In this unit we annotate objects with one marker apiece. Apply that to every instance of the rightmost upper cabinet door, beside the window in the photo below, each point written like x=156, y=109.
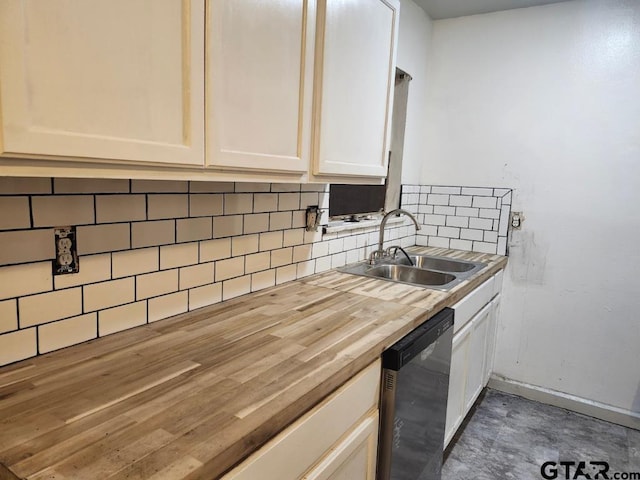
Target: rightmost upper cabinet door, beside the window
x=355, y=71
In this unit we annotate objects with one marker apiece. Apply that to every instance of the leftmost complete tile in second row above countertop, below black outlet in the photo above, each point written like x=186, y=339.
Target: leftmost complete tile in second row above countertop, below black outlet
x=47, y=307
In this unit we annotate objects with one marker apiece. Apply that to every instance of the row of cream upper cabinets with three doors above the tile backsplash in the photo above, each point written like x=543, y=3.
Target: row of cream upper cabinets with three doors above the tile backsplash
x=283, y=90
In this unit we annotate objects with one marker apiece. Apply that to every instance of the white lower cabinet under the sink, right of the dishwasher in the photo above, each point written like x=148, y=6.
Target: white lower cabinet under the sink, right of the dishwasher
x=472, y=351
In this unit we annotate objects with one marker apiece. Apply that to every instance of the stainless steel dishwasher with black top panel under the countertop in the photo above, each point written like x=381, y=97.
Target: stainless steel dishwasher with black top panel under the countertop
x=415, y=386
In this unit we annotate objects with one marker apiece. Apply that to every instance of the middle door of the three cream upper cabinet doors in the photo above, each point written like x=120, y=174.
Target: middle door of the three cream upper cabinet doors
x=259, y=84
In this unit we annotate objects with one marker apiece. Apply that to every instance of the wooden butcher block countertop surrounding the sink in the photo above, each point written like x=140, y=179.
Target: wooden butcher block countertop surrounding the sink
x=190, y=397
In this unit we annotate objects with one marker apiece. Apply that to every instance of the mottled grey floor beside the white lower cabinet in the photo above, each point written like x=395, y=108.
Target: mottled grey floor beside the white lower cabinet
x=509, y=437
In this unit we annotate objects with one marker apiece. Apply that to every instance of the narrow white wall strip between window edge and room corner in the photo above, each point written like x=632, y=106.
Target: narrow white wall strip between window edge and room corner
x=413, y=41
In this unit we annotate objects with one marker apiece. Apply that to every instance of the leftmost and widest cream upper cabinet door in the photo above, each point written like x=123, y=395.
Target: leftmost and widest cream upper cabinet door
x=96, y=79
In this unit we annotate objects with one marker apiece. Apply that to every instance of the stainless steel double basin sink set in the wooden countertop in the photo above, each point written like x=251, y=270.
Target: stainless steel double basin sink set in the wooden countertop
x=441, y=273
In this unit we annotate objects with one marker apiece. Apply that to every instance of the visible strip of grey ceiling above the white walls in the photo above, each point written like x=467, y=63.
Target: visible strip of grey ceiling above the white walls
x=440, y=9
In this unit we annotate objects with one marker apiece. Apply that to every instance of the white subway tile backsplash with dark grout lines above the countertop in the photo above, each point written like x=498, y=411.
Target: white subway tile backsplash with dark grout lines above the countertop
x=231, y=238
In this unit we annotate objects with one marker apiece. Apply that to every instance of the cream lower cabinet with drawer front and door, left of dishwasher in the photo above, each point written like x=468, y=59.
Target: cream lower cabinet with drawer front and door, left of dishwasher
x=337, y=439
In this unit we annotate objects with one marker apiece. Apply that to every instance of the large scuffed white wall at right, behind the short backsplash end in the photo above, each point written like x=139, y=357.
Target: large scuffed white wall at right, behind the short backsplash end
x=546, y=100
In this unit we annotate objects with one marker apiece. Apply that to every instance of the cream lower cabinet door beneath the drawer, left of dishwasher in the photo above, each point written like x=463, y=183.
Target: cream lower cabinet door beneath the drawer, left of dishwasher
x=352, y=459
